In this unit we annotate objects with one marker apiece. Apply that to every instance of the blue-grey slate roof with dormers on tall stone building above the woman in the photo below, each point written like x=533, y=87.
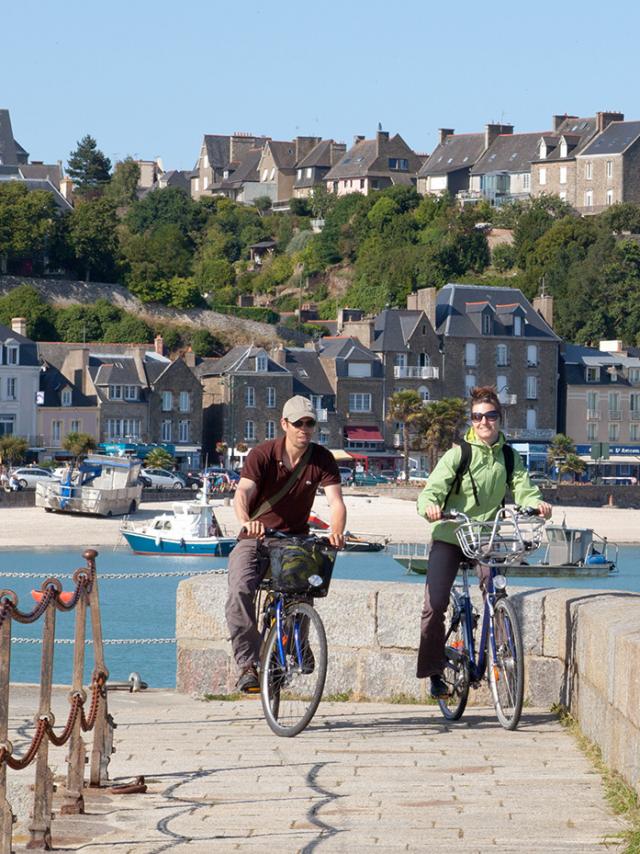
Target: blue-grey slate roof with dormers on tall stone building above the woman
x=456, y=302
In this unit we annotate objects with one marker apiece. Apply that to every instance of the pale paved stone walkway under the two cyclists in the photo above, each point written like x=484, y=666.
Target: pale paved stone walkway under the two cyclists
x=362, y=776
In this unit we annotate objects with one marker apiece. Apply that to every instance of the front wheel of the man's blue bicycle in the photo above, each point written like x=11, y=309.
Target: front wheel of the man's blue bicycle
x=293, y=669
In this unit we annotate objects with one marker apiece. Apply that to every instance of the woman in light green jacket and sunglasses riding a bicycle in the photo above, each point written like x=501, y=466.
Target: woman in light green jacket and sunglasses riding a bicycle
x=479, y=492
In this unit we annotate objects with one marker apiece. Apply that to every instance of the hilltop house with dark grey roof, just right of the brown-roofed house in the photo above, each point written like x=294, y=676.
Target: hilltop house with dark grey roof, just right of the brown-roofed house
x=448, y=169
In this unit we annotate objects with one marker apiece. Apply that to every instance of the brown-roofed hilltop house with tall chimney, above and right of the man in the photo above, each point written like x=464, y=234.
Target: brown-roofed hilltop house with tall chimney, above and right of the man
x=373, y=164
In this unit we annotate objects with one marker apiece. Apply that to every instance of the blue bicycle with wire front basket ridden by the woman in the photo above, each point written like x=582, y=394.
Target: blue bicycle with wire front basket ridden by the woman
x=511, y=534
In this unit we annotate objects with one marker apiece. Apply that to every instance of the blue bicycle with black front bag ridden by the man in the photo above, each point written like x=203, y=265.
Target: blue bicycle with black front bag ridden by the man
x=293, y=660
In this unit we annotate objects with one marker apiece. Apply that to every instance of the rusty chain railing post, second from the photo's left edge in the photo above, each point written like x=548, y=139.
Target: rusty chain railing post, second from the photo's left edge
x=40, y=827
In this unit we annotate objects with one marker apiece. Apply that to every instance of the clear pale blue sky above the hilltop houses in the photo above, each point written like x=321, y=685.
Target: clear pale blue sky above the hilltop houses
x=150, y=78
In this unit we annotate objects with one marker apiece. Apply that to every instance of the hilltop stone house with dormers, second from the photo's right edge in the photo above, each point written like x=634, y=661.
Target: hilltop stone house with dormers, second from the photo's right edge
x=553, y=170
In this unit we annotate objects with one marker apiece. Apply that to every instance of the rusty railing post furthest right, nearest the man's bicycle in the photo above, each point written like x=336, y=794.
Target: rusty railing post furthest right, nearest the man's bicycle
x=103, y=733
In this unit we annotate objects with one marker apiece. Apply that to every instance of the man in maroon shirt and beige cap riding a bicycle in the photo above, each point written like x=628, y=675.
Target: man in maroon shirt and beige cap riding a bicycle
x=276, y=491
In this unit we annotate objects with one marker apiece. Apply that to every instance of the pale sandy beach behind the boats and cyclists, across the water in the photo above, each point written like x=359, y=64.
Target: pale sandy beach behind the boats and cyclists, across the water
x=34, y=528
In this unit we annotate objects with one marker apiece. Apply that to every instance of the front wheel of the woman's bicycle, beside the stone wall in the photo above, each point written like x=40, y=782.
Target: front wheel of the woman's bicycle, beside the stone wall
x=506, y=665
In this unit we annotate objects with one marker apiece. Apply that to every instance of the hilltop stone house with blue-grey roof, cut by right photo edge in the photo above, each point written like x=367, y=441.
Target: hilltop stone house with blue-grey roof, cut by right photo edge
x=608, y=168
